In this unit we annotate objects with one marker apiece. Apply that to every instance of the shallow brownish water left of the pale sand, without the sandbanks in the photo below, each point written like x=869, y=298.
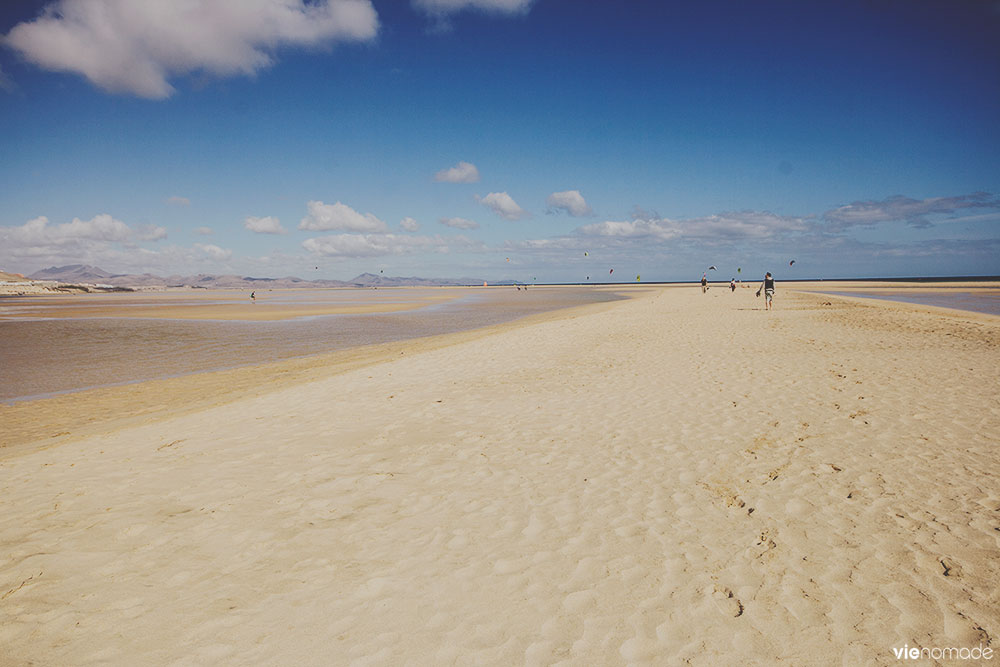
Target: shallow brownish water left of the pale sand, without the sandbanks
x=51, y=355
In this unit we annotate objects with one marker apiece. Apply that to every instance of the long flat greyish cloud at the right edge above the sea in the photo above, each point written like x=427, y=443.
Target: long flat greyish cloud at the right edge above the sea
x=913, y=212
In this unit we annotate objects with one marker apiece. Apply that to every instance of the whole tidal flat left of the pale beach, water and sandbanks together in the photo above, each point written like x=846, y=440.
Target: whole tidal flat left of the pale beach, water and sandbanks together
x=60, y=344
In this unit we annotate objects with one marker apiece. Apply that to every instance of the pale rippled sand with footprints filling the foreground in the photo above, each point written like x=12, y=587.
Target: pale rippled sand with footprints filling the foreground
x=677, y=478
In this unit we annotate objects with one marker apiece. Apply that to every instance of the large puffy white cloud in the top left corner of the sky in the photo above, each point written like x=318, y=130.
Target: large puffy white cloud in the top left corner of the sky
x=132, y=46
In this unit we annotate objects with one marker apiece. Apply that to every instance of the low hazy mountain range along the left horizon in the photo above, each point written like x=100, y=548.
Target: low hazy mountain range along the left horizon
x=80, y=273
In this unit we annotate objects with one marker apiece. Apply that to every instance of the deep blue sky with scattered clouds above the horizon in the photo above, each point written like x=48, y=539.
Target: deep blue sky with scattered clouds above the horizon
x=501, y=139
